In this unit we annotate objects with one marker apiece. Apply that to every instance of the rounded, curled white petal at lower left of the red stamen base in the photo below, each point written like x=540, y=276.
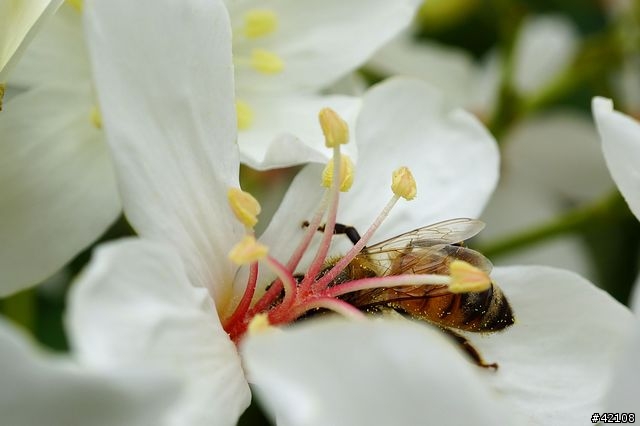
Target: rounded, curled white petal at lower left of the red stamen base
x=134, y=307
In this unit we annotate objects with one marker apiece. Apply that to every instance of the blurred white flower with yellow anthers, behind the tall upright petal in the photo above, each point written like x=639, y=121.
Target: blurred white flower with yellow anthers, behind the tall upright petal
x=44, y=223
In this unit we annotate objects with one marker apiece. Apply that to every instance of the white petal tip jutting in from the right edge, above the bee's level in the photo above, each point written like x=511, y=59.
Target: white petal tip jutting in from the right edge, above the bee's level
x=620, y=136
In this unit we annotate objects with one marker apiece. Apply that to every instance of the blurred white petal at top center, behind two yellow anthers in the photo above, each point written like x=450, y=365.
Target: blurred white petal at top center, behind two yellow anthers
x=316, y=39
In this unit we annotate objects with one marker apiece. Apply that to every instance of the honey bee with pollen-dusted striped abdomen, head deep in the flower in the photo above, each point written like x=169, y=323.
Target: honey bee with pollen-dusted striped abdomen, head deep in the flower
x=428, y=250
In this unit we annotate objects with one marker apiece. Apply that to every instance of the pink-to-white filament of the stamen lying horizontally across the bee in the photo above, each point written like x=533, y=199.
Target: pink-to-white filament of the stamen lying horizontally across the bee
x=388, y=281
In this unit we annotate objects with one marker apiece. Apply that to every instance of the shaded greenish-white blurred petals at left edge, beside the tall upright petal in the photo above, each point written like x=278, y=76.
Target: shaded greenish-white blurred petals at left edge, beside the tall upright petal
x=57, y=186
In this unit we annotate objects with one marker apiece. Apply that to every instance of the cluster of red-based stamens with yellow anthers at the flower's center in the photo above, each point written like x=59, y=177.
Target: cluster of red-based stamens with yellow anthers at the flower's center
x=291, y=295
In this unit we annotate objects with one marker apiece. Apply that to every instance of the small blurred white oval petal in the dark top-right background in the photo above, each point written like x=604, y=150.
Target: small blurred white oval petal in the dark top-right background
x=545, y=47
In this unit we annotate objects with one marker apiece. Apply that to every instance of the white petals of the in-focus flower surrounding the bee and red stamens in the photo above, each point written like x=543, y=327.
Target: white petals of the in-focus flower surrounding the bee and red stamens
x=164, y=302
